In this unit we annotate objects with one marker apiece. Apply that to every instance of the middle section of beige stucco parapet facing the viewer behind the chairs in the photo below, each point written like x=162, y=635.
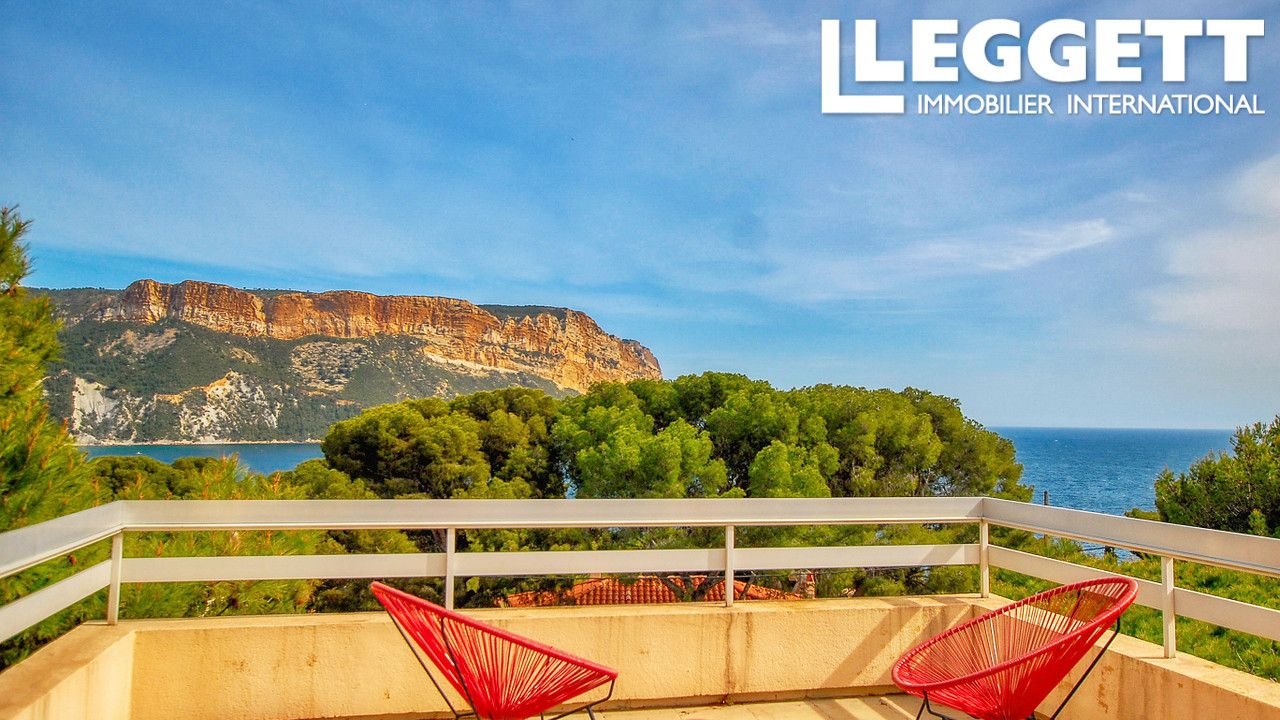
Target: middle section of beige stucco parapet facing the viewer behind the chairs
x=344, y=666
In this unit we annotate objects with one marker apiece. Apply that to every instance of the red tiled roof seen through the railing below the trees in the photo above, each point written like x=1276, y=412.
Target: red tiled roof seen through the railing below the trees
x=644, y=591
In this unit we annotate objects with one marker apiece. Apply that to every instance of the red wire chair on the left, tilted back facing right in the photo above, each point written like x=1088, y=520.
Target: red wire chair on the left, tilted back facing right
x=501, y=675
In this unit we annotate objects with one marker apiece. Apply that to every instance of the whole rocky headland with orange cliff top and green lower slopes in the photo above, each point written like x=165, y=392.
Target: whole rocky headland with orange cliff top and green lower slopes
x=204, y=362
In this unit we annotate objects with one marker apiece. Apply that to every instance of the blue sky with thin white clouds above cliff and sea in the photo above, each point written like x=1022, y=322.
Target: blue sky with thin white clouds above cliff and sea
x=666, y=168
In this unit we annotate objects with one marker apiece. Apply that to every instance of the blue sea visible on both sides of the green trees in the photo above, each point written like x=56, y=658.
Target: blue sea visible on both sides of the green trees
x=1107, y=471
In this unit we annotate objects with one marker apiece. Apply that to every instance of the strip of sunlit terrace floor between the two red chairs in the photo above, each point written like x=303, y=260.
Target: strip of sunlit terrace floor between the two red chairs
x=865, y=708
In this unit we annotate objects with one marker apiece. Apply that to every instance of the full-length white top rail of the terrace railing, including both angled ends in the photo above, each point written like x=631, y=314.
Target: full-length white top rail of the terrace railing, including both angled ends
x=30, y=546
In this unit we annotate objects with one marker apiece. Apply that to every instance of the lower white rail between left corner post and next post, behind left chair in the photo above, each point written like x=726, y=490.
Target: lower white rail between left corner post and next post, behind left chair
x=282, y=568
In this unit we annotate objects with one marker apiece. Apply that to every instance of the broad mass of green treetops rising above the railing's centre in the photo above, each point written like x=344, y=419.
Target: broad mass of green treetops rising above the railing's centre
x=714, y=435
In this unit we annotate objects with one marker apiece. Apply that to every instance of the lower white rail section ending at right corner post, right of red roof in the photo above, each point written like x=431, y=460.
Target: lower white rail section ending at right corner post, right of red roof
x=854, y=557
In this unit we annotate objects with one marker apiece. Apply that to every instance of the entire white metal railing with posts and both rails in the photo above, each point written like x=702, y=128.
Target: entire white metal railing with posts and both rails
x=31, y=546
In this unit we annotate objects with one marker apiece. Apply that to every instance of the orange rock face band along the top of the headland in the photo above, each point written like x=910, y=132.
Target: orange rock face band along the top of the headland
x=572, y=352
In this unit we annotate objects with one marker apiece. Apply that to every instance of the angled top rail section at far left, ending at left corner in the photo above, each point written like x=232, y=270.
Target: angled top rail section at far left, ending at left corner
x=28, y=548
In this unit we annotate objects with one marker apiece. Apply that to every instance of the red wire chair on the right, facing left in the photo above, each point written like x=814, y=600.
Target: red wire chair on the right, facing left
x=1004, y=664
